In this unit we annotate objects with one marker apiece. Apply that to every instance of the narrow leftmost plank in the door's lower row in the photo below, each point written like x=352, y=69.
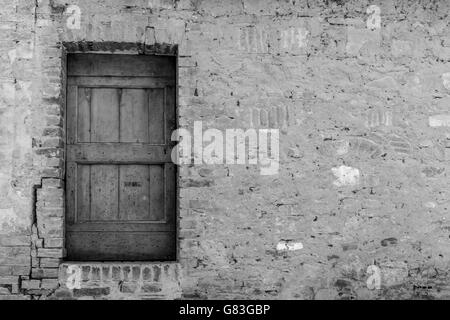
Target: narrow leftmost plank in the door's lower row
x=83, y=193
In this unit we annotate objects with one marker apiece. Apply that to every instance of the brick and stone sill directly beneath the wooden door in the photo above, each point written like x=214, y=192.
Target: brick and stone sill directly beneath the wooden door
x=121, y=280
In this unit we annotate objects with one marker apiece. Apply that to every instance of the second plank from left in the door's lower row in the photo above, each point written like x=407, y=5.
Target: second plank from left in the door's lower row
x=104, y=192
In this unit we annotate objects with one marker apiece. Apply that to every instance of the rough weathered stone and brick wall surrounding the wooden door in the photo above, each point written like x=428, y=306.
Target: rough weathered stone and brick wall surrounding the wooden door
x=360, y=91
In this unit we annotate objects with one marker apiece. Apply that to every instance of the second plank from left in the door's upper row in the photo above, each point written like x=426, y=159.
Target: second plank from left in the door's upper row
x=105, y=115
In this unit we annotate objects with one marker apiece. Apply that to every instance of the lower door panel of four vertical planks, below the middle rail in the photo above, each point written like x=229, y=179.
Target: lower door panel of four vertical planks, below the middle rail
x=120, y=193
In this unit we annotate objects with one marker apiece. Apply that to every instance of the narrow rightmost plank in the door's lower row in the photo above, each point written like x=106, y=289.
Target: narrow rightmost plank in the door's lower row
x=157, y=186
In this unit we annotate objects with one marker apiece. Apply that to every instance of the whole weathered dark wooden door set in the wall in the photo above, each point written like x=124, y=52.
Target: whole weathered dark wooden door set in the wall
x=120, y=183
